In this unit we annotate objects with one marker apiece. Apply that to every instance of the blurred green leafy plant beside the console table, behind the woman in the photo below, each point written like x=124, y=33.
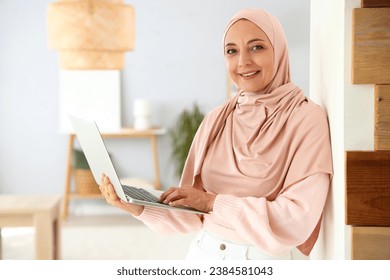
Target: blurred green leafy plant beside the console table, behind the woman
x=182, y=135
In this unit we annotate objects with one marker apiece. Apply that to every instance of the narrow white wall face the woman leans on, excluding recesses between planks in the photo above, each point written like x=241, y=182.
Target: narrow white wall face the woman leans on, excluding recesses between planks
x=326, y=88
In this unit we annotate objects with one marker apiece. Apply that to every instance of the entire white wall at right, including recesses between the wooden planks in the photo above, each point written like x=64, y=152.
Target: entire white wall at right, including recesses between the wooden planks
x=350, y=109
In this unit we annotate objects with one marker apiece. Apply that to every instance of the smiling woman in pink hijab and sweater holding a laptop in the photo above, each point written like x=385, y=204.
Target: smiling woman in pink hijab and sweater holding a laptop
x=260, y=165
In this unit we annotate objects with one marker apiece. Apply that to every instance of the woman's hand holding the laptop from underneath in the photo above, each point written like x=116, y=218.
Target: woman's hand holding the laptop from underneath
x=108, y=191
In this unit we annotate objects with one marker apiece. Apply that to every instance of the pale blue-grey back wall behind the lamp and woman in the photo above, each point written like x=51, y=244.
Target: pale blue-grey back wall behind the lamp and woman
x=178, y=60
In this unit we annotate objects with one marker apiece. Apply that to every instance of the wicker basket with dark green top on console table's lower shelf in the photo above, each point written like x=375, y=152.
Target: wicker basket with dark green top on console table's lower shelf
x=84, y=181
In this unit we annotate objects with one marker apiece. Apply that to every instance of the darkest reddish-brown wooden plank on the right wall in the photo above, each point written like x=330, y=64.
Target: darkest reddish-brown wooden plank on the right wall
x=368, y=188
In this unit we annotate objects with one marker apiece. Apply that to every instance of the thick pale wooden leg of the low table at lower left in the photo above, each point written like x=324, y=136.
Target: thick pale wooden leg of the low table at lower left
x=44, y=236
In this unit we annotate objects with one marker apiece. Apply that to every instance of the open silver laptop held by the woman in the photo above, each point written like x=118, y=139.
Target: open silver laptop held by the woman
x=100, y=163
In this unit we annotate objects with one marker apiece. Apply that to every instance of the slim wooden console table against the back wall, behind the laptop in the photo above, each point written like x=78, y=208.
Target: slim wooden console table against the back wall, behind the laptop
x=128, y=133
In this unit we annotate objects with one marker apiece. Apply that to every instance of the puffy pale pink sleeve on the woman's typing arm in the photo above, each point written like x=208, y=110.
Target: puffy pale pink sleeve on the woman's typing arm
x=277, y=226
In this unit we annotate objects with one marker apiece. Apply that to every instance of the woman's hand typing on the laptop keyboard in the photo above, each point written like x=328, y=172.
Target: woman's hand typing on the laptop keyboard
x=188, y=196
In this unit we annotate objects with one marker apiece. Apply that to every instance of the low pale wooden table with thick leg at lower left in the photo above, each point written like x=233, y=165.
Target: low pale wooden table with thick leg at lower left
x=42, y=212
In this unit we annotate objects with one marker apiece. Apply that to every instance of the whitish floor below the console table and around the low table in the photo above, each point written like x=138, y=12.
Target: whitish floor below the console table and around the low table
x=111, y=237
